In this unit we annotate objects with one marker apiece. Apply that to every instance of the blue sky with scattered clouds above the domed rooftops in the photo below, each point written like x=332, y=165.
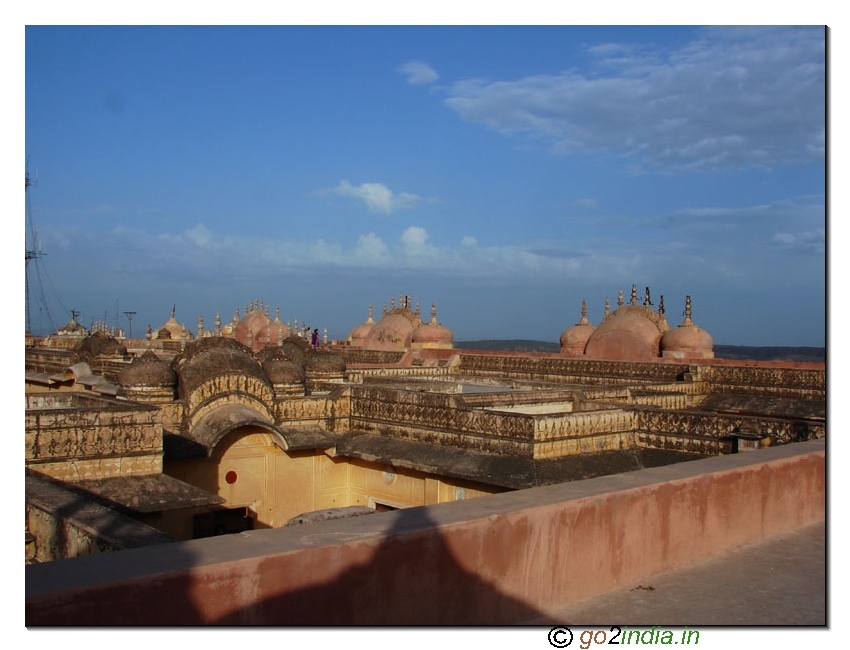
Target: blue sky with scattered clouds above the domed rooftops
x=504, y=173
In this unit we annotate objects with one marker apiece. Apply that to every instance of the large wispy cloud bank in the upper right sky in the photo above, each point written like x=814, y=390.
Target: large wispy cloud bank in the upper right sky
x=732, y=98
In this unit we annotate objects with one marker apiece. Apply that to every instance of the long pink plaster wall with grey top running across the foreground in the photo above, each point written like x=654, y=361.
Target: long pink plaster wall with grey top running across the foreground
x=497, y=559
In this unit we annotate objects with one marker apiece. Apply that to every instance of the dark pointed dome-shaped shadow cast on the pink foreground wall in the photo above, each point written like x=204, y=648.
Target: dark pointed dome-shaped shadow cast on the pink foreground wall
x=412, y=578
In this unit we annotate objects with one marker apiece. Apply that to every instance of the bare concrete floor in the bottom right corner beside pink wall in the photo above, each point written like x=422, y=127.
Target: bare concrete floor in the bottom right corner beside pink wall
x=779, y=581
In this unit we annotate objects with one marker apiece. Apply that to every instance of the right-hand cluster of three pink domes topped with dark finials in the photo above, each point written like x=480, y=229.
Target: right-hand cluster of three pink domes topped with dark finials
x=636, y=332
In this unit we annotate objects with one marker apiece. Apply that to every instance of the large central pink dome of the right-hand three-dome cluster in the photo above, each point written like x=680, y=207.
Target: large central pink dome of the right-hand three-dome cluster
x=631, y=333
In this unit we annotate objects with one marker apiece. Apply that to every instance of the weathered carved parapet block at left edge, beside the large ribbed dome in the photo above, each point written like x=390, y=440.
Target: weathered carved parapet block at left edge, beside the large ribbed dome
x=74, y=436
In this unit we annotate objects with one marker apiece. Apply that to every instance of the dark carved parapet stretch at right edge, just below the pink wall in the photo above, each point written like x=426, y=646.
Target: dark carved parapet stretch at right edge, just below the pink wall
x=759, y=380
